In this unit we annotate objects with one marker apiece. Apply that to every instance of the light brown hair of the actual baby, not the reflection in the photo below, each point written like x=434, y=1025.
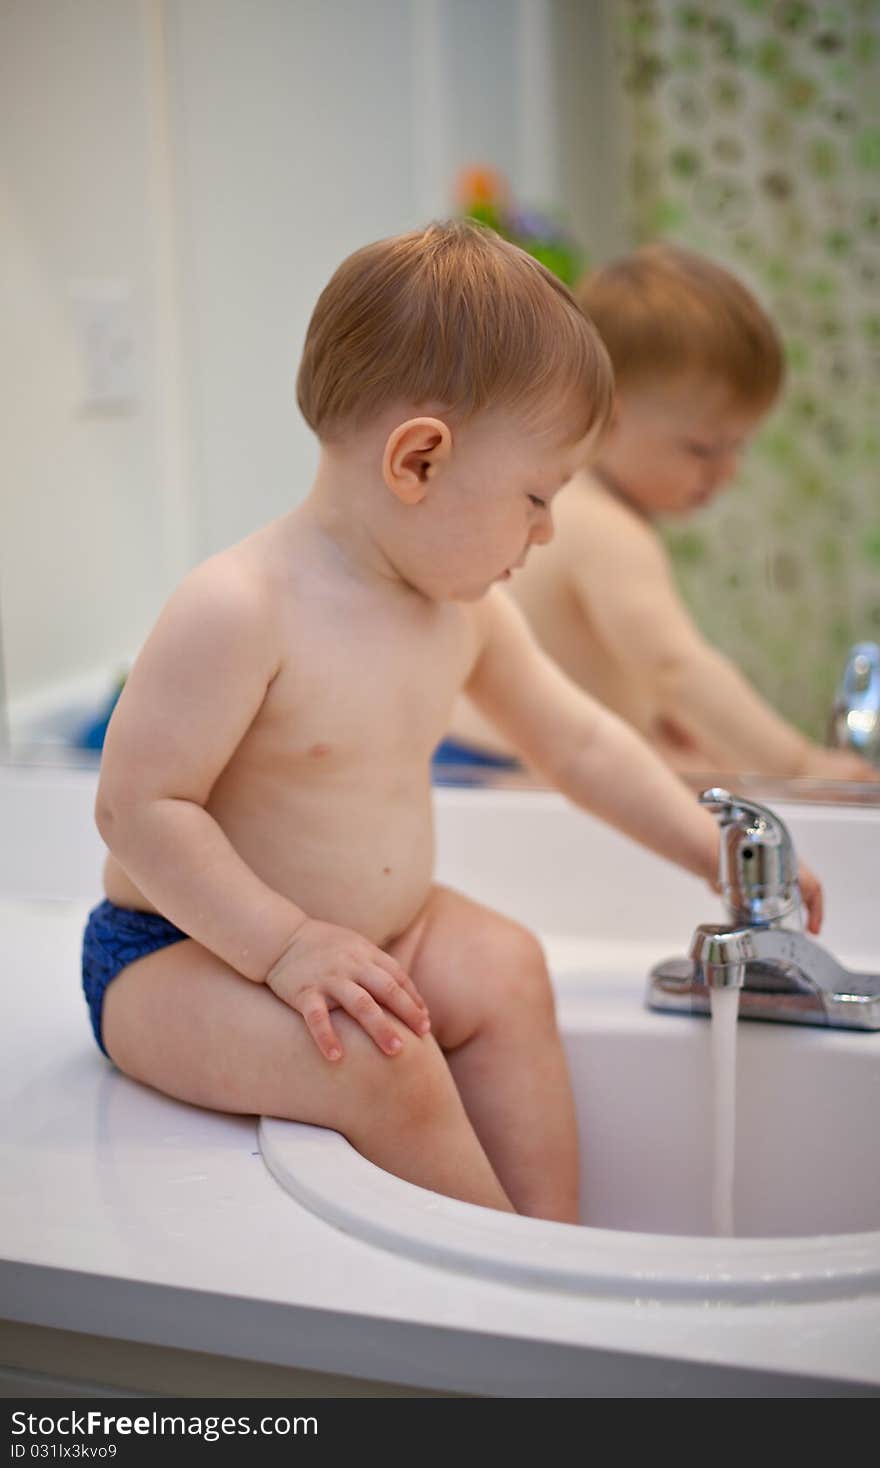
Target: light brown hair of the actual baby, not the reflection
x=458, y=316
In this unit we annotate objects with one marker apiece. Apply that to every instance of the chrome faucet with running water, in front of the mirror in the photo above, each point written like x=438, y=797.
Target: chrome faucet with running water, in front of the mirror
x=763, y=951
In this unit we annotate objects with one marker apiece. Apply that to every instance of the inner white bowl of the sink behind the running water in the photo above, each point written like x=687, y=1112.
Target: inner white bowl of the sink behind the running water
x=807, y=1106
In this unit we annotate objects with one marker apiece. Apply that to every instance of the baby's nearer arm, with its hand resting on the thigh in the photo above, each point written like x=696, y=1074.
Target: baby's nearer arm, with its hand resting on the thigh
x=189, y=702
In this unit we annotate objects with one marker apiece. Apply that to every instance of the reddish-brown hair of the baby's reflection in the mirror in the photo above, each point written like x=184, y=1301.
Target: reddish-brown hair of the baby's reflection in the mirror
x=668, y=313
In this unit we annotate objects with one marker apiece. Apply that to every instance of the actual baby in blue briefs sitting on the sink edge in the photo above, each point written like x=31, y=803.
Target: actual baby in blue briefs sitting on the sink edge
x=273, y=942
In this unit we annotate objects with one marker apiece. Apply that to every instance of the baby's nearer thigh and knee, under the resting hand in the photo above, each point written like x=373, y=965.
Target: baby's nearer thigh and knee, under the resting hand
x=186, y=1024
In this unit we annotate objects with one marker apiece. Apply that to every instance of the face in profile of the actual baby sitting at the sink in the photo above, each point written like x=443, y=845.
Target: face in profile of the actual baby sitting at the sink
x=493, y=504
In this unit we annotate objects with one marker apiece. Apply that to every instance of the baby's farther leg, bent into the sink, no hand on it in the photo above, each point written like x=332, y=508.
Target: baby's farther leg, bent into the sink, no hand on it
x=486, y=983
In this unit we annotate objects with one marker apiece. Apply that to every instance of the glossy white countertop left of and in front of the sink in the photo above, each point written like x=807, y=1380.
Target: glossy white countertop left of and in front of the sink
x=131, y=1216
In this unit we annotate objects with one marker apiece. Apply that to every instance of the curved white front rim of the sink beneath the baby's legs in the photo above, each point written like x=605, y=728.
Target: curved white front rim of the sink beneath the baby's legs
x=328, y=1177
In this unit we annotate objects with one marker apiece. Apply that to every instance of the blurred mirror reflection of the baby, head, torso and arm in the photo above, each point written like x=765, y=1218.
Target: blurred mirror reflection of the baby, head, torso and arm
x=699, y=365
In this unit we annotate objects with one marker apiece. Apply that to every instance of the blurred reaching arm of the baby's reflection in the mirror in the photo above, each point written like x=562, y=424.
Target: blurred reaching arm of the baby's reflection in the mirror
x=709, y=714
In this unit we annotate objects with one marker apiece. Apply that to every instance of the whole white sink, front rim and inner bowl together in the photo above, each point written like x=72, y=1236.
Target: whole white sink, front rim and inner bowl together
x=807, y=1199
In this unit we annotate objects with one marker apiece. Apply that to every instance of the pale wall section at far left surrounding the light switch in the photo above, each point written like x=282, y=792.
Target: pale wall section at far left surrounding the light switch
x=82, y=545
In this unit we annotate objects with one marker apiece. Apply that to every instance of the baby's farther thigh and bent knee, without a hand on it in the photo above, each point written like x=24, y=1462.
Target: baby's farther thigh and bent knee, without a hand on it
x=474, y=967
